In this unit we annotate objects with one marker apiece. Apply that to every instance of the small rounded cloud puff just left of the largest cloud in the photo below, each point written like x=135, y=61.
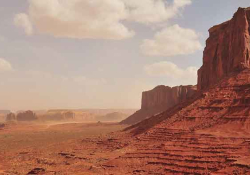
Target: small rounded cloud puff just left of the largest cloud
x=22, y=20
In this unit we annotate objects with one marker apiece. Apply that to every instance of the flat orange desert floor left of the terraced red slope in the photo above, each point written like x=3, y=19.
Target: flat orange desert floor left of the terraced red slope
x=71, y=148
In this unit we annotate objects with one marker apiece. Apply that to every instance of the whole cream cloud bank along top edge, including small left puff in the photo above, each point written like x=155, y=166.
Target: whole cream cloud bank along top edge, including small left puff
x=95, y=19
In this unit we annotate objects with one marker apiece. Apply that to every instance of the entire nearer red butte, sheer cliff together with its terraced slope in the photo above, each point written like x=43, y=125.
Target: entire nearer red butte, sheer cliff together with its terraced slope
x=208, y=134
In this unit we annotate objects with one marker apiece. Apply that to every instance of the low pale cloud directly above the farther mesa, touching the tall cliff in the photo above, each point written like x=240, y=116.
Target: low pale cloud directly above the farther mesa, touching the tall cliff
x=171, y=70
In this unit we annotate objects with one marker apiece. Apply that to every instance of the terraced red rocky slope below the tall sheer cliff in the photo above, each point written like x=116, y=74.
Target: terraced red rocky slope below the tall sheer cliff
x=209, y=134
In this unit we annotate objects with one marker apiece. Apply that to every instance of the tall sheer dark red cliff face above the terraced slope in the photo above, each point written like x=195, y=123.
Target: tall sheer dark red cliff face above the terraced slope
x=227, y=49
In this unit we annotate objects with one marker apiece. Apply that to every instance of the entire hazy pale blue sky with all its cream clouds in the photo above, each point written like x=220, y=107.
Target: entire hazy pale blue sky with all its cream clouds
x=101, y=53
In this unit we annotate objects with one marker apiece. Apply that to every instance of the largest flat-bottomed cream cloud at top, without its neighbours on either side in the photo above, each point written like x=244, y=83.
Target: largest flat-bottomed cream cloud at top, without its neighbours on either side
x=80, y=18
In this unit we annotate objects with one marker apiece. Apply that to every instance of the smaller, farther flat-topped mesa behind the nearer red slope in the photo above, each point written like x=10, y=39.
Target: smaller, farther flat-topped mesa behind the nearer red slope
x=160, y=99
